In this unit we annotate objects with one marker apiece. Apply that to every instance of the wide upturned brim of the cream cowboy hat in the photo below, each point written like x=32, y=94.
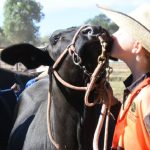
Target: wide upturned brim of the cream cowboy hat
x=129, y=24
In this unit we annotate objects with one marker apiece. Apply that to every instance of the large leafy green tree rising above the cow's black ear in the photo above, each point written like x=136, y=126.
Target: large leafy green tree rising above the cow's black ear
x=20, y=18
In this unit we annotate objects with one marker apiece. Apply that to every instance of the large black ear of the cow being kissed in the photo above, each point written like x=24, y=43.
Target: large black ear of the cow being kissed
x=27, y=54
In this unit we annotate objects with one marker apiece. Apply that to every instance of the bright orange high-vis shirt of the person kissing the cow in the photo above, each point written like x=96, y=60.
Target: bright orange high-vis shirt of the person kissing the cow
x=130, y=132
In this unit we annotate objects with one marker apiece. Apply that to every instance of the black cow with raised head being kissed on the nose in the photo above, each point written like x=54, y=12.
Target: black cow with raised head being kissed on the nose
x=72, y=123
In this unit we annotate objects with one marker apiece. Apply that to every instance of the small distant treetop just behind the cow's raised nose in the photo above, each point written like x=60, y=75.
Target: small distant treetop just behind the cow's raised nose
x=103, y=21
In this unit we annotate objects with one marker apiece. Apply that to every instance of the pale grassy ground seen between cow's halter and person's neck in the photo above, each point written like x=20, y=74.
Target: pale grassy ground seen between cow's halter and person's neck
x=120, y=73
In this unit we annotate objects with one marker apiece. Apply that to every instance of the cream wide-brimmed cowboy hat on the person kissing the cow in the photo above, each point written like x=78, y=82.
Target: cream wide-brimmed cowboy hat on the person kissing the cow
x=137, y=23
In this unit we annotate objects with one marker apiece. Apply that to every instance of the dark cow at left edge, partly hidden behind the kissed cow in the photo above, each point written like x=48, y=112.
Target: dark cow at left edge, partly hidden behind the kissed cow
x=8, y=100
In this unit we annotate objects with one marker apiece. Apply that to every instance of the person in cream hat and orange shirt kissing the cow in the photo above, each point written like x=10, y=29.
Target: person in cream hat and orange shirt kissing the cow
x=132, y=45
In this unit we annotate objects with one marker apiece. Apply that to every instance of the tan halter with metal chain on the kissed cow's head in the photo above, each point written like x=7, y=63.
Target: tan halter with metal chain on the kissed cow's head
x=71, y=50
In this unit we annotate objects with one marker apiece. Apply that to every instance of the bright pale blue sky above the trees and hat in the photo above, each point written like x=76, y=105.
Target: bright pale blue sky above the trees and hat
x=61, y=14
